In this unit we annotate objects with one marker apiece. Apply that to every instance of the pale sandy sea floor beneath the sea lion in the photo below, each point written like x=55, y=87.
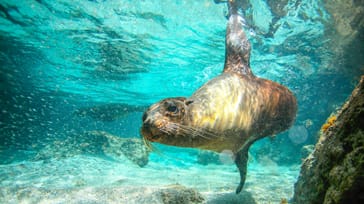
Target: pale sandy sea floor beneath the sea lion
x=90, y=179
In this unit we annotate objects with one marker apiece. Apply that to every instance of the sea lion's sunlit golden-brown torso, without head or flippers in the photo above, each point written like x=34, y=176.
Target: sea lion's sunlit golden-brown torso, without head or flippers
x=240, y=110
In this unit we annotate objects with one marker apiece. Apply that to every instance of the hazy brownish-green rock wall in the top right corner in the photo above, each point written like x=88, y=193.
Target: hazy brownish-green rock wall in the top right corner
x=346, y=34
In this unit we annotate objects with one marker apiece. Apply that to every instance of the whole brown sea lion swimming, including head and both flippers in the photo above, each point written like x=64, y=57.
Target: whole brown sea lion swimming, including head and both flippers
x=229, y=112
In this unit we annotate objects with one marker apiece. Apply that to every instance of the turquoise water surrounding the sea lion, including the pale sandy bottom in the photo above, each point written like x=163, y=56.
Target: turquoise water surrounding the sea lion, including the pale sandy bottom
x=70, y=67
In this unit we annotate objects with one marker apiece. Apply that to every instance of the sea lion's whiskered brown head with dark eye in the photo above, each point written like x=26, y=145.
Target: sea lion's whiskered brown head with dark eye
x=162, y=121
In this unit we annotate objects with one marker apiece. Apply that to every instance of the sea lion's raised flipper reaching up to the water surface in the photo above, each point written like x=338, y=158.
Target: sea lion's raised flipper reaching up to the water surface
x=237, y=51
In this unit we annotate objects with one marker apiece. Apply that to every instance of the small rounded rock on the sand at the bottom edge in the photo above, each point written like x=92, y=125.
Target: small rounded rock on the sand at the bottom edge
x=177, y=194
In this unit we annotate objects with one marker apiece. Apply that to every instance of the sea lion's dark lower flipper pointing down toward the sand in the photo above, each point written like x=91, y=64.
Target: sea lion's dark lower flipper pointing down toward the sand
x=241, y=161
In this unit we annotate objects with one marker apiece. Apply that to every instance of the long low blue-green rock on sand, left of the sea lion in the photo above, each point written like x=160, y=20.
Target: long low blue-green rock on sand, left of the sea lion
x=97, y=143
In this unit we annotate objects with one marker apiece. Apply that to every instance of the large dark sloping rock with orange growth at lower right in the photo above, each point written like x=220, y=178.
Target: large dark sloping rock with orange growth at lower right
x=334, y=172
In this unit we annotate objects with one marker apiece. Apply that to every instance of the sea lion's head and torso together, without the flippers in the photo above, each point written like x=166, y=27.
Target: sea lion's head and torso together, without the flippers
x=227, y=113
